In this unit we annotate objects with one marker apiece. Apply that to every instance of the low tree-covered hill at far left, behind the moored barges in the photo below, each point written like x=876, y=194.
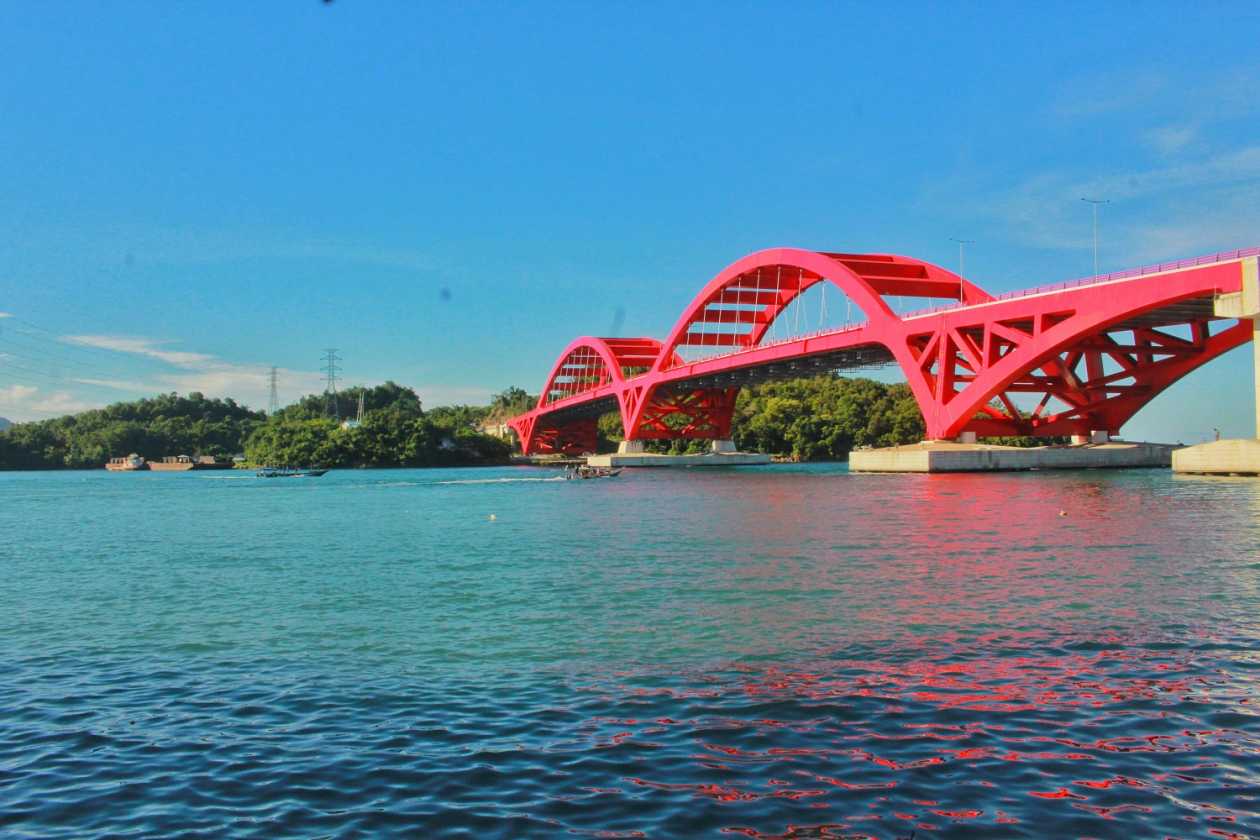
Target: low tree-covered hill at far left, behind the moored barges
x=166, y=425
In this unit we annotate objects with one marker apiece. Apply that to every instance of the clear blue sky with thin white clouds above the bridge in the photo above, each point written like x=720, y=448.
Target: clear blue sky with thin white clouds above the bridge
x=449, y=193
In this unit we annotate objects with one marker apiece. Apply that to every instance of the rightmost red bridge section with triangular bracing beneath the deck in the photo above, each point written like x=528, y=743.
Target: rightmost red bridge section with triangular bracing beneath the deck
x=1060, y=344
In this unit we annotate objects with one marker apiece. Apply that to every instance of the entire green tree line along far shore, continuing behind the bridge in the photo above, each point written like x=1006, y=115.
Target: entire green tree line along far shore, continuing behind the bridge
x=810, y=419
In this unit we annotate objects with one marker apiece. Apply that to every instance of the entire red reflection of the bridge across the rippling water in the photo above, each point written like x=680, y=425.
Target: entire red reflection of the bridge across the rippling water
x=967, y=656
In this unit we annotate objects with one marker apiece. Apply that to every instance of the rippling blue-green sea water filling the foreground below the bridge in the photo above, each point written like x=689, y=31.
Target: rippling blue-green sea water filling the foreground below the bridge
x=786, y=652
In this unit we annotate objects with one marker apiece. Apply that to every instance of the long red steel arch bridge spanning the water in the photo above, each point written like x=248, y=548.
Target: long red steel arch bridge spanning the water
x=1078, y=358
